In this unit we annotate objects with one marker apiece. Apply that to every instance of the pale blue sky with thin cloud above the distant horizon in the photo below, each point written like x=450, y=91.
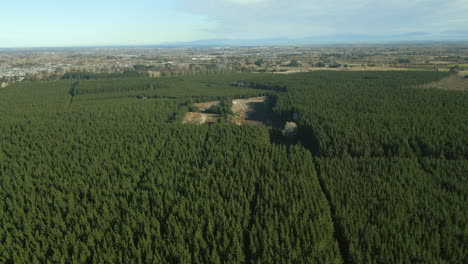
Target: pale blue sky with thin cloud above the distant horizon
x=53, y=23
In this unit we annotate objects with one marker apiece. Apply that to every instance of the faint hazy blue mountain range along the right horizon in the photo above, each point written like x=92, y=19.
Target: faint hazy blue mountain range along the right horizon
x=333, y=39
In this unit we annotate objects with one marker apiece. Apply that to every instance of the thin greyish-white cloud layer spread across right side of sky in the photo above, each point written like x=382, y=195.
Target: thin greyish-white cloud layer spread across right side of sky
x=302, y=18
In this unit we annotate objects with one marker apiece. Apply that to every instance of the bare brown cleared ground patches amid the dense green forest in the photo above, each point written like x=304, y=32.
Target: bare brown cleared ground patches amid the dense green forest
x=246, y=111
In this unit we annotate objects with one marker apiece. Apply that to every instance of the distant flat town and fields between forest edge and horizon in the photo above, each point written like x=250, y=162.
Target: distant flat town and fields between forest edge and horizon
x=52, y=63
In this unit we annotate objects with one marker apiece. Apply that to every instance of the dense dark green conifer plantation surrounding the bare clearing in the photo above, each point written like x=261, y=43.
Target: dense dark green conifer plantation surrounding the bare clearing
x=101, y=170
